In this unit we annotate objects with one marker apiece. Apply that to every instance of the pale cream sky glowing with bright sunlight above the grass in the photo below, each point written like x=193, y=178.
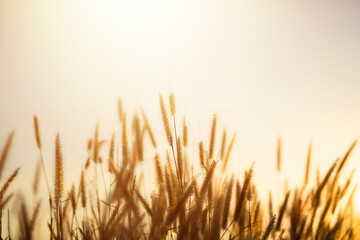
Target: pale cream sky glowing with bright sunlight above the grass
x=288, y=68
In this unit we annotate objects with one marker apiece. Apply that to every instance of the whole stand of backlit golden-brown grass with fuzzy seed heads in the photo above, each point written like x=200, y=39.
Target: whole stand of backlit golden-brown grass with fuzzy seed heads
x=185, y=202
